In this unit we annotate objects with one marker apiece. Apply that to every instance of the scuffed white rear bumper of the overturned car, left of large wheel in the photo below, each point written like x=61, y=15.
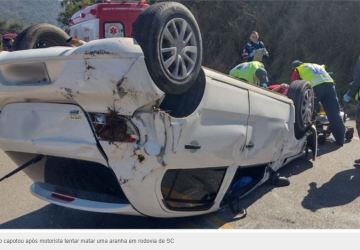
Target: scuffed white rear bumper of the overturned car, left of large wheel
x=75, y=75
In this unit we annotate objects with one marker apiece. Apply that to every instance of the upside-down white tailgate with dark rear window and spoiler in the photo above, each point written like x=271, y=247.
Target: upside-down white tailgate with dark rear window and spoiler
x=74, y=172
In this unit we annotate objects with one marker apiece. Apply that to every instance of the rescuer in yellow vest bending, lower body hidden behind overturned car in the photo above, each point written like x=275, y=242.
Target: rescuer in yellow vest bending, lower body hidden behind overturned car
x=252, y=72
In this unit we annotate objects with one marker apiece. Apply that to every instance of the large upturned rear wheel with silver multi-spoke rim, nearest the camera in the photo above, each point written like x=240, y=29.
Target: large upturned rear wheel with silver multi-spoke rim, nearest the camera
x=171, y=41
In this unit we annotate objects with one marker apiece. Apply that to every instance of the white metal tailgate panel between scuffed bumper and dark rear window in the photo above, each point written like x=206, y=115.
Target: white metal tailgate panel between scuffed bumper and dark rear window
x=39, y=128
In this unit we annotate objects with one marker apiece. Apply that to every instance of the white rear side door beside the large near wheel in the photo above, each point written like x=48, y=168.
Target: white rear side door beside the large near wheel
x=215, y=134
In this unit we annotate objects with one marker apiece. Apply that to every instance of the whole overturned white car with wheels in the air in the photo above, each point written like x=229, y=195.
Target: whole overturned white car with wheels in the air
x=115, y=127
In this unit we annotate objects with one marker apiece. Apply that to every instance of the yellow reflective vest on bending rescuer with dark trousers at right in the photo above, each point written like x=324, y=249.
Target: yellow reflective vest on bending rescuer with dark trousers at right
x=314, y=73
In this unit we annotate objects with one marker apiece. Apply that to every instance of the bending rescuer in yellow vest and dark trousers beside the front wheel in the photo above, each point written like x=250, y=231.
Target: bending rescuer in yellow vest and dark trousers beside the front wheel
x=325, y=93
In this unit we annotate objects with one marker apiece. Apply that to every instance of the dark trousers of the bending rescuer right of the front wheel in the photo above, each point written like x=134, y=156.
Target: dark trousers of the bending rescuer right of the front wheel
x=325, y=94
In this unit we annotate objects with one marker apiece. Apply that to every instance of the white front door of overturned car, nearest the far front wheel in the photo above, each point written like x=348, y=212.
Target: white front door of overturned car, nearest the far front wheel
x=268, y=128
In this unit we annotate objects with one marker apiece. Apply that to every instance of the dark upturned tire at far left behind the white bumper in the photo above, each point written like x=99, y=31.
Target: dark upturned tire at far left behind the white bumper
x=41, y=36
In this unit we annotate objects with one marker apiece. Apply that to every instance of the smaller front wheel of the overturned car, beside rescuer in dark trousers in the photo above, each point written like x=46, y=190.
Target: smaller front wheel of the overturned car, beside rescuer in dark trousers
x=302, y=95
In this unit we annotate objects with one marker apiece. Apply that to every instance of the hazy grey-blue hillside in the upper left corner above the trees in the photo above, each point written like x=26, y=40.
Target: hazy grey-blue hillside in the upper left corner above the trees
x=29, y=11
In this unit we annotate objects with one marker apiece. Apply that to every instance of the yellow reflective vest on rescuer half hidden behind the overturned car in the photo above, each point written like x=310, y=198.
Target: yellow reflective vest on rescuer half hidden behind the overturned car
x=246, y=71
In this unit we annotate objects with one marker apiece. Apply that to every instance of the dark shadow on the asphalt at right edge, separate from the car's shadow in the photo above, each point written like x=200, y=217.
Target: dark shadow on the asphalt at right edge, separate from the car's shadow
x=341, y=189
